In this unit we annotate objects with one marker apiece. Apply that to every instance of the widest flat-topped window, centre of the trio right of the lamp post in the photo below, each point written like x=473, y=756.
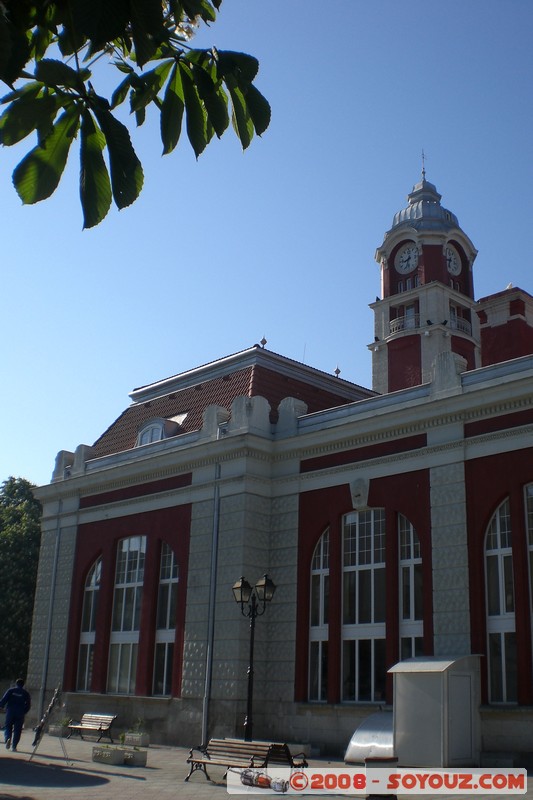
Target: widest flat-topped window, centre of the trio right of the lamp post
x=363, y=629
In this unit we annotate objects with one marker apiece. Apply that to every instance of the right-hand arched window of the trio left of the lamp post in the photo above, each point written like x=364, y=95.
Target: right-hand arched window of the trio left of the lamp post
x=166, y=622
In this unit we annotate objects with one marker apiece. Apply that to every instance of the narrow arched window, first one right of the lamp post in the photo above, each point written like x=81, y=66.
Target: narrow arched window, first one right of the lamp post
x=318, y=635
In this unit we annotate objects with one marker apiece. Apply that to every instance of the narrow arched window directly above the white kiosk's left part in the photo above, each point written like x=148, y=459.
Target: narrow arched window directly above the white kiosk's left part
x=411, y=625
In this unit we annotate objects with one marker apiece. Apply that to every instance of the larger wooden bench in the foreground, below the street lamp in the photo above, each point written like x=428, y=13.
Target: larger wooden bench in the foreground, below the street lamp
x=237, y=754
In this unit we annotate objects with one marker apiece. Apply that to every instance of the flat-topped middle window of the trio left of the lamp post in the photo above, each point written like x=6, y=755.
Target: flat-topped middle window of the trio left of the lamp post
x=126, y=615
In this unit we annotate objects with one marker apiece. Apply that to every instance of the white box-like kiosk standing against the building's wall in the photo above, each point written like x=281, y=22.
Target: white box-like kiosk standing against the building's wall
x=436, y=711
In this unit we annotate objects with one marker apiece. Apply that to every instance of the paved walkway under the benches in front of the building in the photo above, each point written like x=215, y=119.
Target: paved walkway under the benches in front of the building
x=43, y=774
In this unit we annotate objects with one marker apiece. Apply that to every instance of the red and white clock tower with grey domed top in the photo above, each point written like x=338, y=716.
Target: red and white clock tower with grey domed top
x=427, y=291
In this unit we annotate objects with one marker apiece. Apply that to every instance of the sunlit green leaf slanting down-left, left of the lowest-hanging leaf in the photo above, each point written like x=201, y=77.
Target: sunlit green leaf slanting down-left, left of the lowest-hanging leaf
x=38, y=174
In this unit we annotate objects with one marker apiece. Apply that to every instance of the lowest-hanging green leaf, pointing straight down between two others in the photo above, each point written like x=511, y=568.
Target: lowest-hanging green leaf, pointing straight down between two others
x=95, y=186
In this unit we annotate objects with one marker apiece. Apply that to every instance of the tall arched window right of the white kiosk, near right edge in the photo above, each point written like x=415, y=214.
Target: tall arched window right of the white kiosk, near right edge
x=500, y=607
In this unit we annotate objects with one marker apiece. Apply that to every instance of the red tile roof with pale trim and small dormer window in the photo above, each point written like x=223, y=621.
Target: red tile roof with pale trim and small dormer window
x=264, y=374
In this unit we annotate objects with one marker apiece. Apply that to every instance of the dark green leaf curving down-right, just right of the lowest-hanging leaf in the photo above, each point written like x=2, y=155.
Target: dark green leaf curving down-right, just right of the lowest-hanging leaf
x=126, y=169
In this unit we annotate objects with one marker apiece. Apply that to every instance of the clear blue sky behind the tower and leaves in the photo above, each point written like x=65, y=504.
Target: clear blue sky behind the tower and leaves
x=278, y=241
